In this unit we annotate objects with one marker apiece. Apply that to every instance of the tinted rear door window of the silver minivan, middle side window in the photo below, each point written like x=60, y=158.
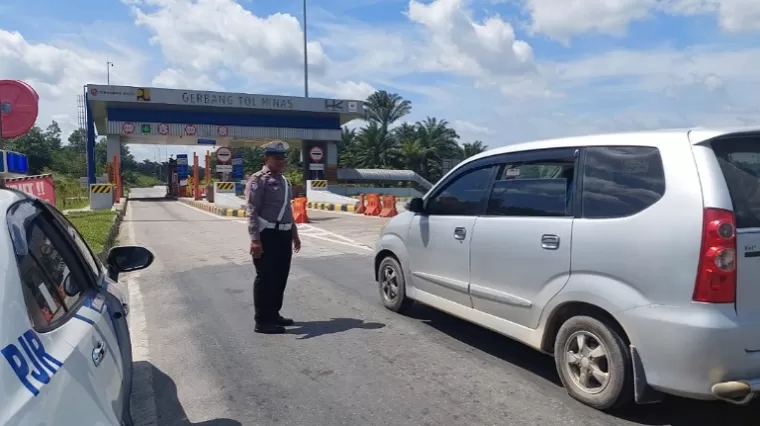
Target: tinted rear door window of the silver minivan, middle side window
x=539, y=188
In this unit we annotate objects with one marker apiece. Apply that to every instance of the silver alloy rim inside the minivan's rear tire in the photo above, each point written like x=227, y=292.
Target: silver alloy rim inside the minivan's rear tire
x=586, y=362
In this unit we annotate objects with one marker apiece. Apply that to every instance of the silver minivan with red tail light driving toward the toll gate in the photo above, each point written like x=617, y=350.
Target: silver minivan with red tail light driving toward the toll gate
x=633, y=258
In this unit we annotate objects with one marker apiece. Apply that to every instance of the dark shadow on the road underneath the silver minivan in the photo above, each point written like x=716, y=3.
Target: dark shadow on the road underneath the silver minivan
x=672, y=411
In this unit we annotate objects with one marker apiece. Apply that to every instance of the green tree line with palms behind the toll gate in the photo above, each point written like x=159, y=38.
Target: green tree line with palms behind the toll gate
x=420, y=146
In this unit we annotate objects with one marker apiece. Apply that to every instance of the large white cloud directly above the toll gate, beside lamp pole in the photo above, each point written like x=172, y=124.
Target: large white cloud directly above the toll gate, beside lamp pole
x=206, y=35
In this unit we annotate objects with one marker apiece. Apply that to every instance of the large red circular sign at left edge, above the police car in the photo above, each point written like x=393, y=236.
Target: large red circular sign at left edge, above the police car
x=19, y=106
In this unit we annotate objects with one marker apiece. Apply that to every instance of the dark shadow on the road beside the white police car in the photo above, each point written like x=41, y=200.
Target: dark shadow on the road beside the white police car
x=169, y=410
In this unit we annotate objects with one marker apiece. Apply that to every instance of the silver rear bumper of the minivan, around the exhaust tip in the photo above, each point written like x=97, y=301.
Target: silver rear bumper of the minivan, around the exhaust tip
x=694, y=350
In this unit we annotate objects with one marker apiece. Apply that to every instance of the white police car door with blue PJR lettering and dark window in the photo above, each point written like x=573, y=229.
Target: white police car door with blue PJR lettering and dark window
x=65, y=363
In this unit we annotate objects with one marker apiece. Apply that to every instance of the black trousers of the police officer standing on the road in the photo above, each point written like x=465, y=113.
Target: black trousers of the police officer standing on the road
x=272, y=270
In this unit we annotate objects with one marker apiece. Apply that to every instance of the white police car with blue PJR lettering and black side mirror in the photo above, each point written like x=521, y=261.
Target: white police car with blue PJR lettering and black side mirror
x=66, y=354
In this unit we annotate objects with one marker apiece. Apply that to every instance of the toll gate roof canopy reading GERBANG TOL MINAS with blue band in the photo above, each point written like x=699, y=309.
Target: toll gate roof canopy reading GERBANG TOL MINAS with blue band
x=149, y=115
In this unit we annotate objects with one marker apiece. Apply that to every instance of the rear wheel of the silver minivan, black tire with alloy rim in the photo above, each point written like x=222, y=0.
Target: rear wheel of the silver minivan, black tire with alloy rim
x=612, y=355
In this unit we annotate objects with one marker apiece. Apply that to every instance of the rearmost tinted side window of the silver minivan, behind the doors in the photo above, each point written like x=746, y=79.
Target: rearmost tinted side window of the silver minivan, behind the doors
x=620, y=181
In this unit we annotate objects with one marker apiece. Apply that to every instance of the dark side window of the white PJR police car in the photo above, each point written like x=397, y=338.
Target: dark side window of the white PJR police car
x=52, y=279
